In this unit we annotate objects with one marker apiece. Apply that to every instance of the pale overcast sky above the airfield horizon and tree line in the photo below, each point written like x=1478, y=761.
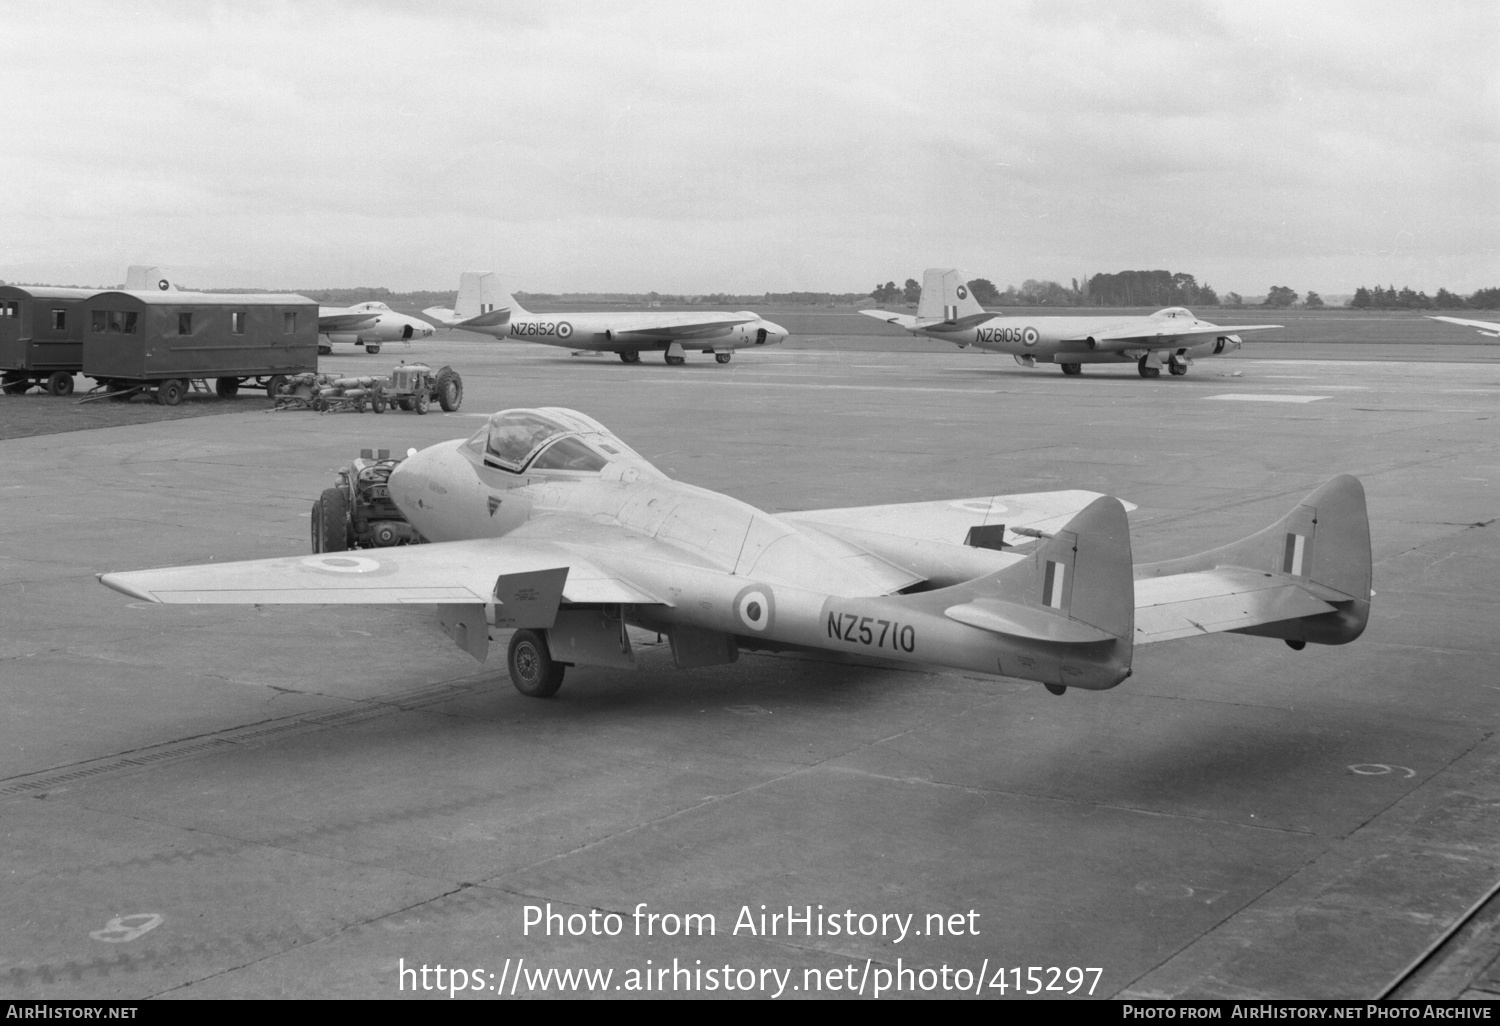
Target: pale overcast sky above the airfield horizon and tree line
x=748, y=148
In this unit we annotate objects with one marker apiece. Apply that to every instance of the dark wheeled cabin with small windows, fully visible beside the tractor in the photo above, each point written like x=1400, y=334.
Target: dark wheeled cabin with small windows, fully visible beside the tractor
x=164, y=341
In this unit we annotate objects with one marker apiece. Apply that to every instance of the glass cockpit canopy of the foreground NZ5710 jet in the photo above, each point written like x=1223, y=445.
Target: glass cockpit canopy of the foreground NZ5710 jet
x=548, y=439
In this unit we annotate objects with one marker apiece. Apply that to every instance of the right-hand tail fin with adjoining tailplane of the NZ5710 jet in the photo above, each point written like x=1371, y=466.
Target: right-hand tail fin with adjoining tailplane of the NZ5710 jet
x=1303, y=580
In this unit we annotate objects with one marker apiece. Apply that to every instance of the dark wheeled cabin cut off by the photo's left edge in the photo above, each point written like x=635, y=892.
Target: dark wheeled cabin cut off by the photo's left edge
x=41, y=337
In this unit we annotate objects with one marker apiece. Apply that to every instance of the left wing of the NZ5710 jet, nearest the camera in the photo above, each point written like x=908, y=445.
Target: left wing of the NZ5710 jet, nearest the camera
x=440, y=574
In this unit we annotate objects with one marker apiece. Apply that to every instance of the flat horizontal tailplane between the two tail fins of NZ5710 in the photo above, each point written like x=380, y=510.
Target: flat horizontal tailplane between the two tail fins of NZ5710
x=1223, y=599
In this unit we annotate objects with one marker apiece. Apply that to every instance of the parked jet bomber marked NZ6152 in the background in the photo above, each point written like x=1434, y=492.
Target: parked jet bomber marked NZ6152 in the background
x=487, y=308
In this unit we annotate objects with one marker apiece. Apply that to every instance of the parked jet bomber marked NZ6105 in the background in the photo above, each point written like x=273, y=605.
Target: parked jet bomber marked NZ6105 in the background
x=1172, y=337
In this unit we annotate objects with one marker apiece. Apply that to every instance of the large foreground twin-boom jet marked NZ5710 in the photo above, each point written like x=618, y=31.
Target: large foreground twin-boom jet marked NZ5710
x=548, y=524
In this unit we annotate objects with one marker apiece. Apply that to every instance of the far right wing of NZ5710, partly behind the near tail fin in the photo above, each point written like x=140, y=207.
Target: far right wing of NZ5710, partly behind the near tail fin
x=952, y=520
